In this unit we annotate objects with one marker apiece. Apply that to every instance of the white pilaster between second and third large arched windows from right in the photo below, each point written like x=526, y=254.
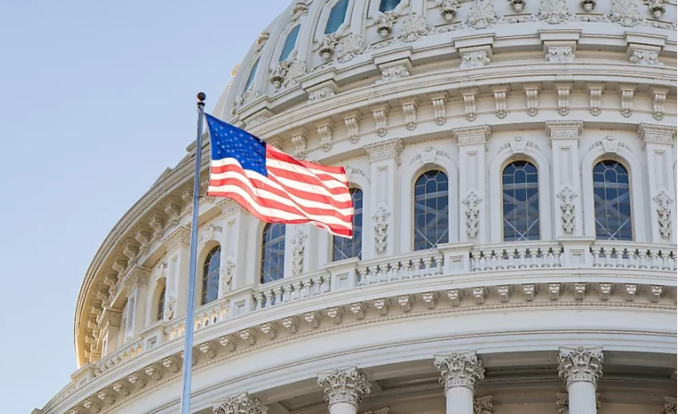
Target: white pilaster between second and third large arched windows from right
x=472, y=182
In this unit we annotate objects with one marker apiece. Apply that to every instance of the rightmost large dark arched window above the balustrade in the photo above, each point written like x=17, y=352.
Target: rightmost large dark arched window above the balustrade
x=612, y=201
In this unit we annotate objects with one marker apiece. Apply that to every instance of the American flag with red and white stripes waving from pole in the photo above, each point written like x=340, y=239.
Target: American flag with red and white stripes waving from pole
x=275, y=187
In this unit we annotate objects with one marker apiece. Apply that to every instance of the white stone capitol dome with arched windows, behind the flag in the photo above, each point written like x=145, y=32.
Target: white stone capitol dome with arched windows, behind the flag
x=512, y=165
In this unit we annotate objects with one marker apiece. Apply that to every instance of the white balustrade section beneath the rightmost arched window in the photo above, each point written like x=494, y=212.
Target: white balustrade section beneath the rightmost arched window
x=633, y=256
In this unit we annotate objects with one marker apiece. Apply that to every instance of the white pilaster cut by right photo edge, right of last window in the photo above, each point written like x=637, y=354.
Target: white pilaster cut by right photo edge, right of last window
x=659, y=153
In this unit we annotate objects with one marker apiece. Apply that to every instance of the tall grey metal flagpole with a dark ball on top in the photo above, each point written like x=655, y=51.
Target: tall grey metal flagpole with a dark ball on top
x=190, y=307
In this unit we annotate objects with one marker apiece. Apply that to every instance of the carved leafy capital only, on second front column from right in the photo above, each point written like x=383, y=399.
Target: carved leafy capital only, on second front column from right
x=462, y=369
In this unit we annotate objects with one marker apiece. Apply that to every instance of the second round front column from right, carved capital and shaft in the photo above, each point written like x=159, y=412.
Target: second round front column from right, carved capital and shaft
x=460, y=372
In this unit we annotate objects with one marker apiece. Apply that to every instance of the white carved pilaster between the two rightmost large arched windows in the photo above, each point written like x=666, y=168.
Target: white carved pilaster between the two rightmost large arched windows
x=567, y=204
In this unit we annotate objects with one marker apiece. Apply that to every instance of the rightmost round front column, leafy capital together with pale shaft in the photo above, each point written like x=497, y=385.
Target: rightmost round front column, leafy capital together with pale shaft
x=580, y=368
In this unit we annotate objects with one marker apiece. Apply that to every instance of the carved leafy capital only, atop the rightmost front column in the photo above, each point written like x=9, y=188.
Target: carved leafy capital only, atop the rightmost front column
x=580, y=364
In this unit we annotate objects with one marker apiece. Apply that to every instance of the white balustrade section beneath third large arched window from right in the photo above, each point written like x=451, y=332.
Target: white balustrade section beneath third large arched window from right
x=419, y=264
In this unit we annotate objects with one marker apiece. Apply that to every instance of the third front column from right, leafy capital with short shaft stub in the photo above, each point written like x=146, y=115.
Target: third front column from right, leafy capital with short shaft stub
x=344, y=390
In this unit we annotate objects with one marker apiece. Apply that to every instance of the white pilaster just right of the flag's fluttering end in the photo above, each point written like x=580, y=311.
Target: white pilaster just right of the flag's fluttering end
x=384, y=159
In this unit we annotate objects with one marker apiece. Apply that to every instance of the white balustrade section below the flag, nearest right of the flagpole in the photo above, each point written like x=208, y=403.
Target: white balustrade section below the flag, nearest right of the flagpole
x=291, y=289
